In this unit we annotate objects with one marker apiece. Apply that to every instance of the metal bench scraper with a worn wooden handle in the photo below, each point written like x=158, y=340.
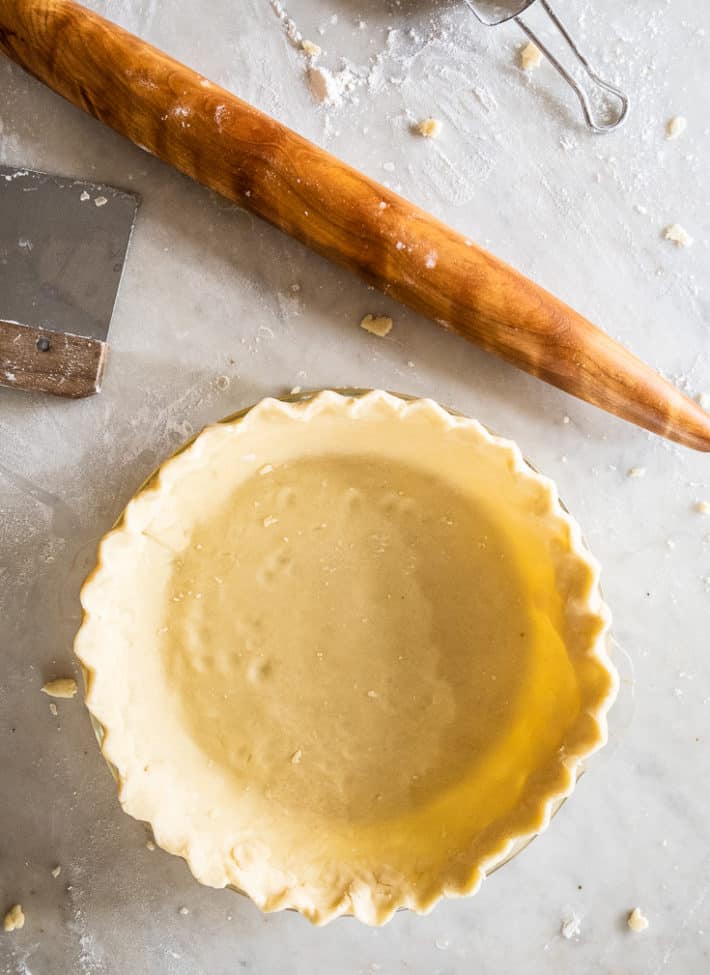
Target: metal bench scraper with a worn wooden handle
x=63, y=245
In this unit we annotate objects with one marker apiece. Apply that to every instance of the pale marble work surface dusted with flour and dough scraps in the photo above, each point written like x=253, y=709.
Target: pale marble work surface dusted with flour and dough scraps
x=207, y=294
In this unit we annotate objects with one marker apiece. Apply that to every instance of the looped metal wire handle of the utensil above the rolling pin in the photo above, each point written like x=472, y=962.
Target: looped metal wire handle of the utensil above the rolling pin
x=581, y=73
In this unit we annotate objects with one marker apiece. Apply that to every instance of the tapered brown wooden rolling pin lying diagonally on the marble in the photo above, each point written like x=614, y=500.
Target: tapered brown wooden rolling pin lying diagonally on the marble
x=214, y=137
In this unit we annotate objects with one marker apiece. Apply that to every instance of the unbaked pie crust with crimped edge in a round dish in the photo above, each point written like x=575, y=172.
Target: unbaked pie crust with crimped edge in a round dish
x=346, y=654
